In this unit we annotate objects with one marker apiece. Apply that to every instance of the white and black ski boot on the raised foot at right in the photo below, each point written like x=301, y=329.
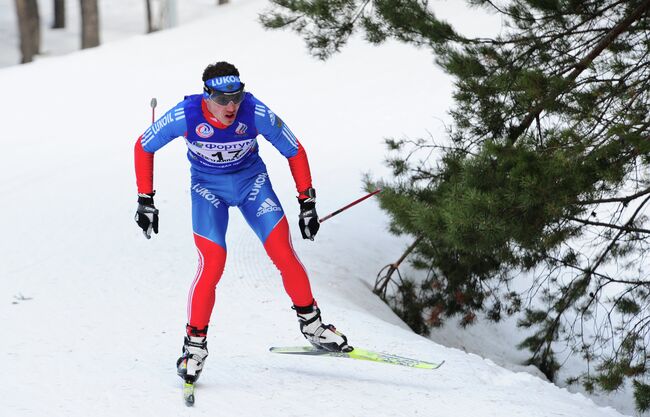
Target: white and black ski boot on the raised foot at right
x=321, y=336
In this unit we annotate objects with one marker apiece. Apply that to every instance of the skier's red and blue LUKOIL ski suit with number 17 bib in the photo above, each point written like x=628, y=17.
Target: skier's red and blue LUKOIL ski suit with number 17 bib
x=226, y=170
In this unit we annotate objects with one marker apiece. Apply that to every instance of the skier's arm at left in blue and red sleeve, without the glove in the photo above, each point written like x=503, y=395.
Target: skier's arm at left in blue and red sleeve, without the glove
x=170, y=126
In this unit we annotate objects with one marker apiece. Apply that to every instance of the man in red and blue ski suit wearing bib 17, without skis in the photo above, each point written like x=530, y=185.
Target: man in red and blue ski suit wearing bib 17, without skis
x=220, y=129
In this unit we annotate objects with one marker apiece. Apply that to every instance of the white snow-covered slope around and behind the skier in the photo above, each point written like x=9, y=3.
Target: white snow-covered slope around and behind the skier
x=92, y=314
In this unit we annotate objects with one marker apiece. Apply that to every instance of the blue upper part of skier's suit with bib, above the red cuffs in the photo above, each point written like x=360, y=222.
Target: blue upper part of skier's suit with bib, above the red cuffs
x=213, y=150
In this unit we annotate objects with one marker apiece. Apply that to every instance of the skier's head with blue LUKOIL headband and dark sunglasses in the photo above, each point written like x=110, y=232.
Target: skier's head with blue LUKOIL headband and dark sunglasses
x=223, y=91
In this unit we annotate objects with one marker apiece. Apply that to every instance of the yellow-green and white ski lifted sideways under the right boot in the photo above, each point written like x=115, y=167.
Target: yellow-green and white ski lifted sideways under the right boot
x=360, y=354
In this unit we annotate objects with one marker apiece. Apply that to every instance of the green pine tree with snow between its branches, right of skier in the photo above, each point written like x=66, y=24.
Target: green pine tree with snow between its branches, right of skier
x=544, y=172
